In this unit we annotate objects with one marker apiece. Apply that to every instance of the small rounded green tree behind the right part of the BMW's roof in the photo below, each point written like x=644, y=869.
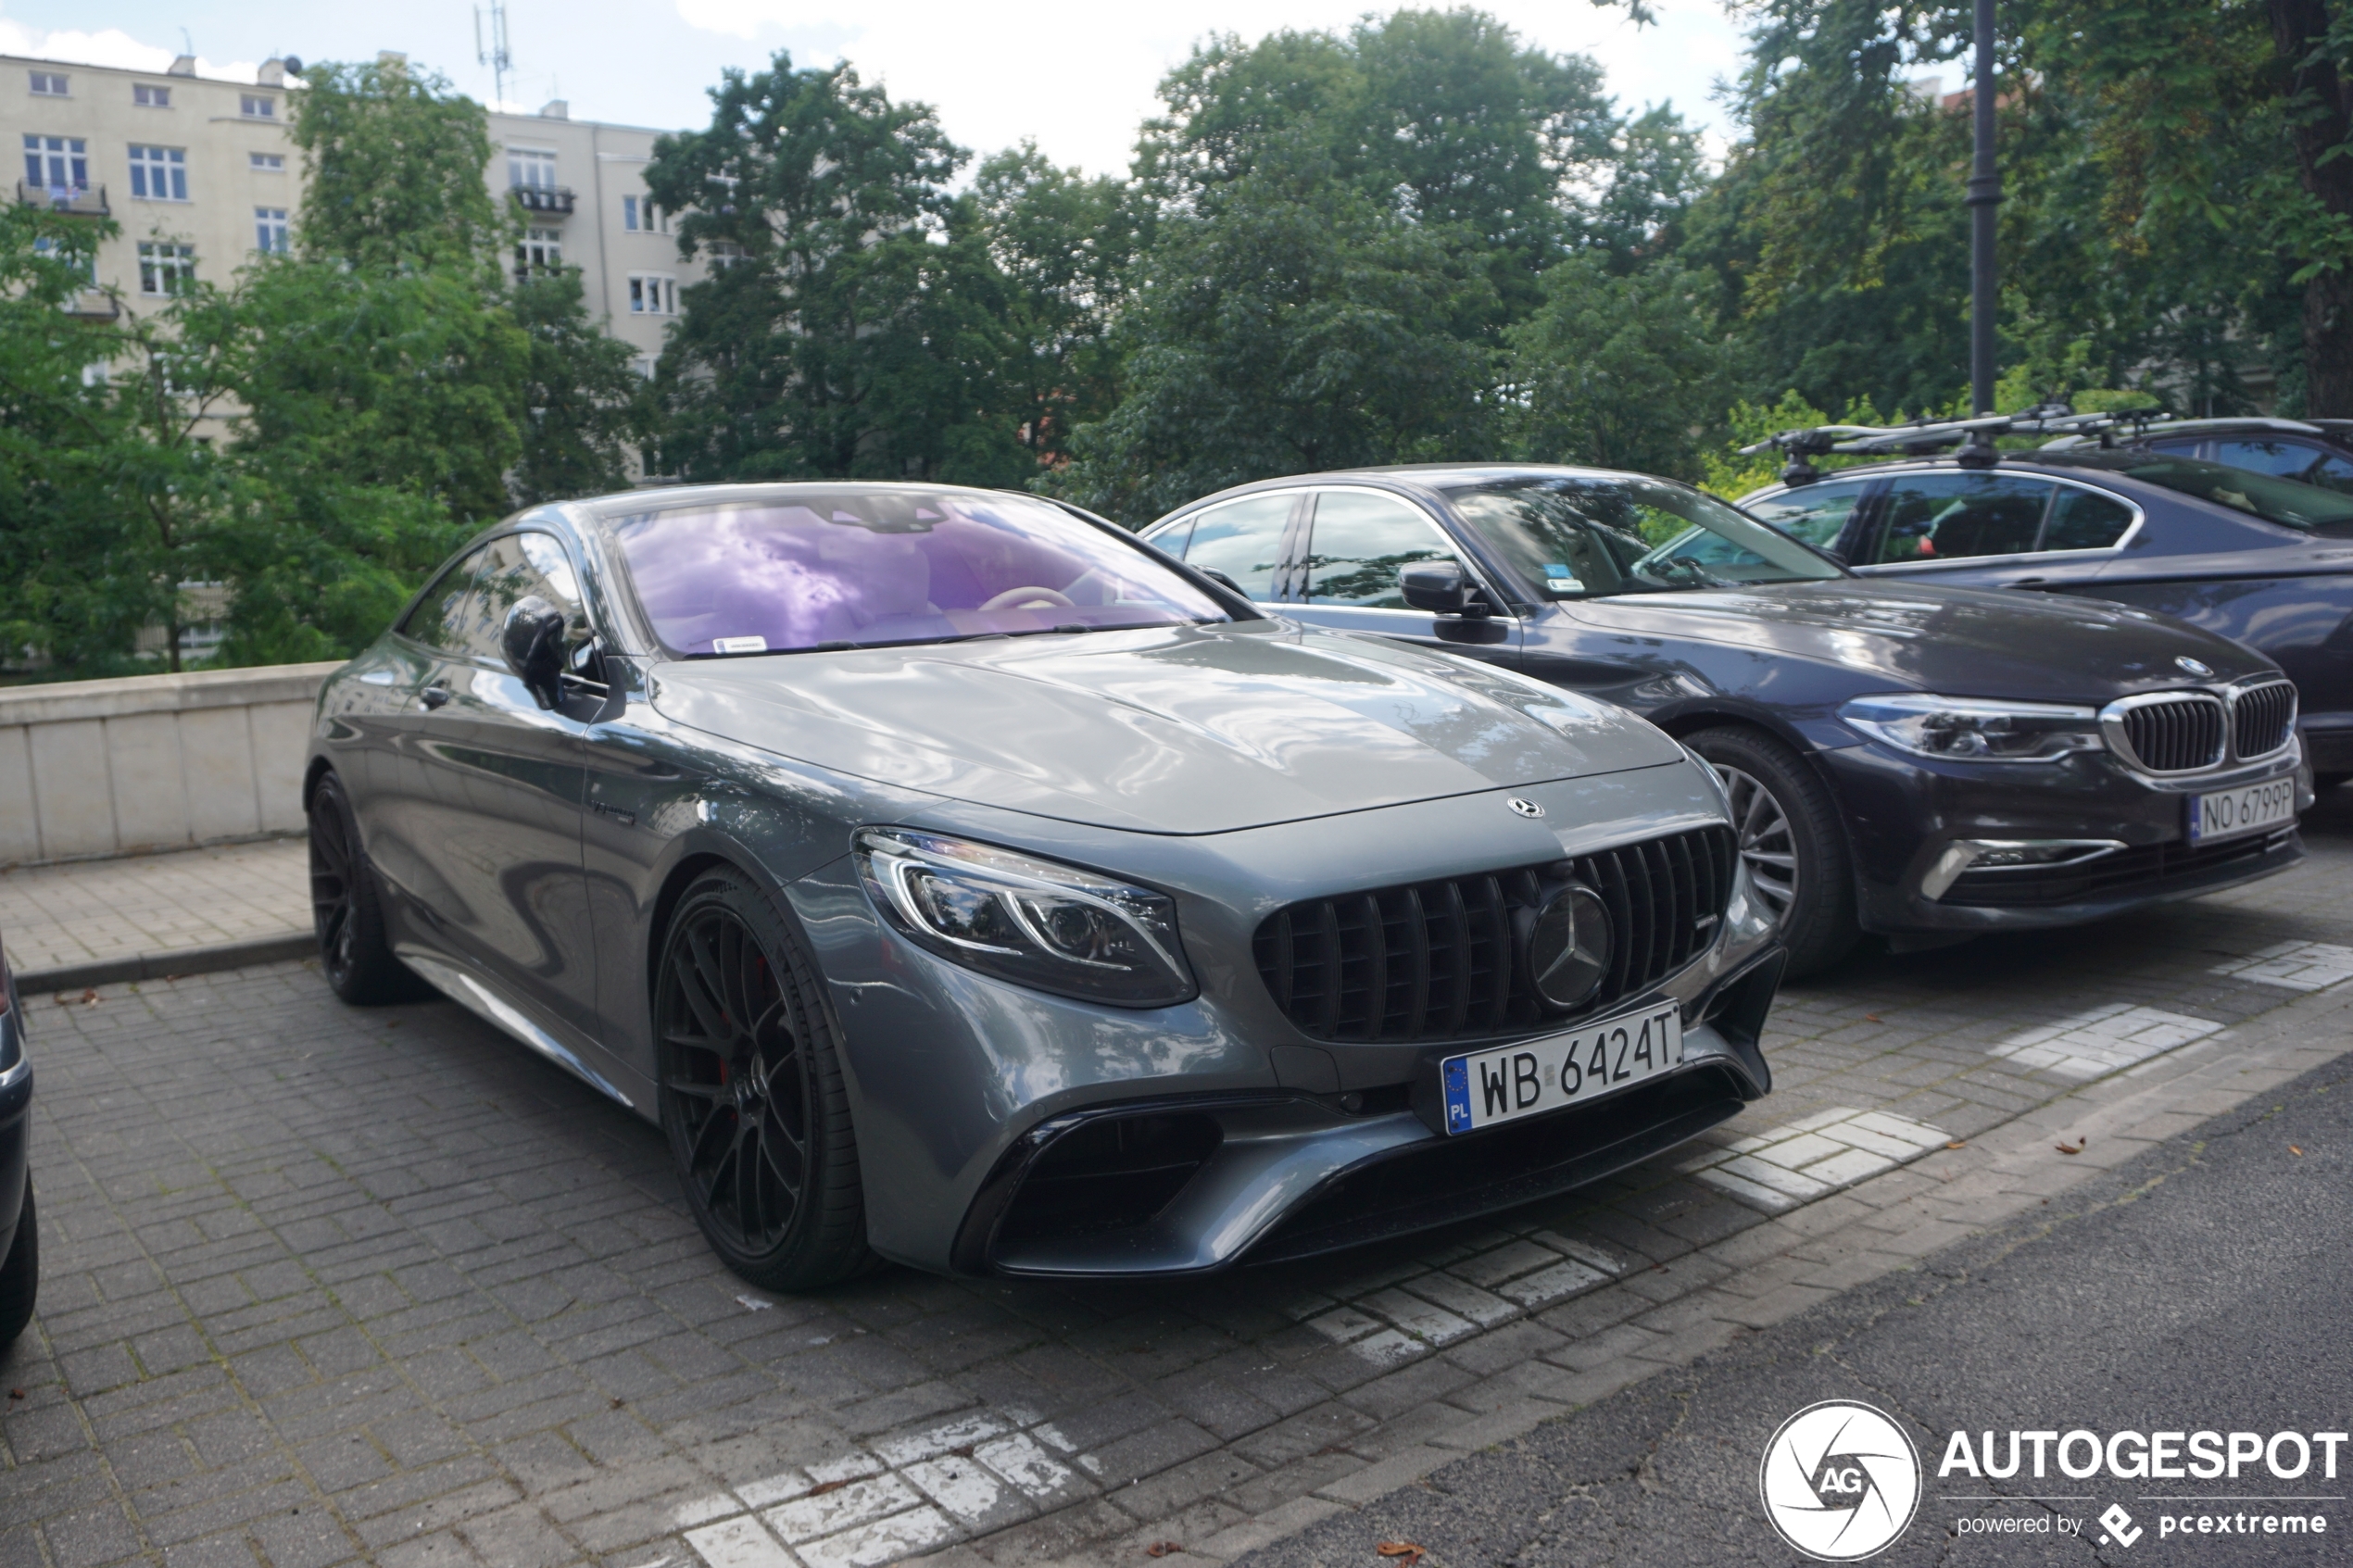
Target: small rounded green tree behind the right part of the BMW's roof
x=1620, y=370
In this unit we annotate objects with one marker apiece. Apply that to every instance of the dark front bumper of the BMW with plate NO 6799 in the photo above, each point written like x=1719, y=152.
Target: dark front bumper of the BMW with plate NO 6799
x=1905, y=812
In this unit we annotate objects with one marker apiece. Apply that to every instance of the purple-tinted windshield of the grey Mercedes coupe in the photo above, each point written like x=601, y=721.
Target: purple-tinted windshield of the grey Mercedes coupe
x=867, y=568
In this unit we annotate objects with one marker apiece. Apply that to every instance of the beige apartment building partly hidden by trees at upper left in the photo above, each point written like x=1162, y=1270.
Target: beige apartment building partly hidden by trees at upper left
x=201, y=177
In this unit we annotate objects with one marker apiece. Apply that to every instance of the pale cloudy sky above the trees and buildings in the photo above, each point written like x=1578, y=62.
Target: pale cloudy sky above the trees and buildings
x=1074, y=79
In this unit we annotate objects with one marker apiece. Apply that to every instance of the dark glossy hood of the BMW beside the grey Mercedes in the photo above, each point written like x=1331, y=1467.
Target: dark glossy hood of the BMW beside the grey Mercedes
x=1954, y=641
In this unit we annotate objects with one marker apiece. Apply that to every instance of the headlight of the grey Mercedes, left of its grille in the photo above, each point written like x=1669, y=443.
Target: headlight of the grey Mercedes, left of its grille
x=1022, y=920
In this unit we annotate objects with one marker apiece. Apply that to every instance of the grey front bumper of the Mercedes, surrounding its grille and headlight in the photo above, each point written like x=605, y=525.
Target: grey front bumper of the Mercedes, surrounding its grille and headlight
x=952, y=1073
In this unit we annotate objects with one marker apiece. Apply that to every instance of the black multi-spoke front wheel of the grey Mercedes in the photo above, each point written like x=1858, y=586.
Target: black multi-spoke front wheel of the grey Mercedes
x=752, y=1092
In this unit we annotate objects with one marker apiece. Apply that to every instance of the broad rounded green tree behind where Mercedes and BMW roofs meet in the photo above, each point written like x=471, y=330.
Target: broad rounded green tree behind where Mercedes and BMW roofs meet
x=1298, y=328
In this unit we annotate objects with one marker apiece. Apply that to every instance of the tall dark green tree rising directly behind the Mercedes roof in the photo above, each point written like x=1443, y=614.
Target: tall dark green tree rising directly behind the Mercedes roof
x=853, y=321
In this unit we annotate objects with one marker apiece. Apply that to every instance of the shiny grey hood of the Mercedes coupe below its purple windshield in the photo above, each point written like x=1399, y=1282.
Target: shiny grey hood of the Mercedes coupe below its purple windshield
x=1164, y=730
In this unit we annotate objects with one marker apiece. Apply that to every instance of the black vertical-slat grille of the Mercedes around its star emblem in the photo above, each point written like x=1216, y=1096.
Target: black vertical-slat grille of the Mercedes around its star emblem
x=1439, y=960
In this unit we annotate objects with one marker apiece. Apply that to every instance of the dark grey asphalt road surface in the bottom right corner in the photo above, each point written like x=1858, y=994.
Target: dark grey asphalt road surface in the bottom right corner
x=2201, y=1287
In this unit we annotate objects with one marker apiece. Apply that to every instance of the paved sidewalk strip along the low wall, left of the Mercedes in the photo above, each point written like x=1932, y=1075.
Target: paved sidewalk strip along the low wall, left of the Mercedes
x=60, y=918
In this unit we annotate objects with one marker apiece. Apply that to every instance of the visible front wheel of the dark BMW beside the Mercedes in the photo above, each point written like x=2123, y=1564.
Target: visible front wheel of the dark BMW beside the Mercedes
x=1792, y=843
